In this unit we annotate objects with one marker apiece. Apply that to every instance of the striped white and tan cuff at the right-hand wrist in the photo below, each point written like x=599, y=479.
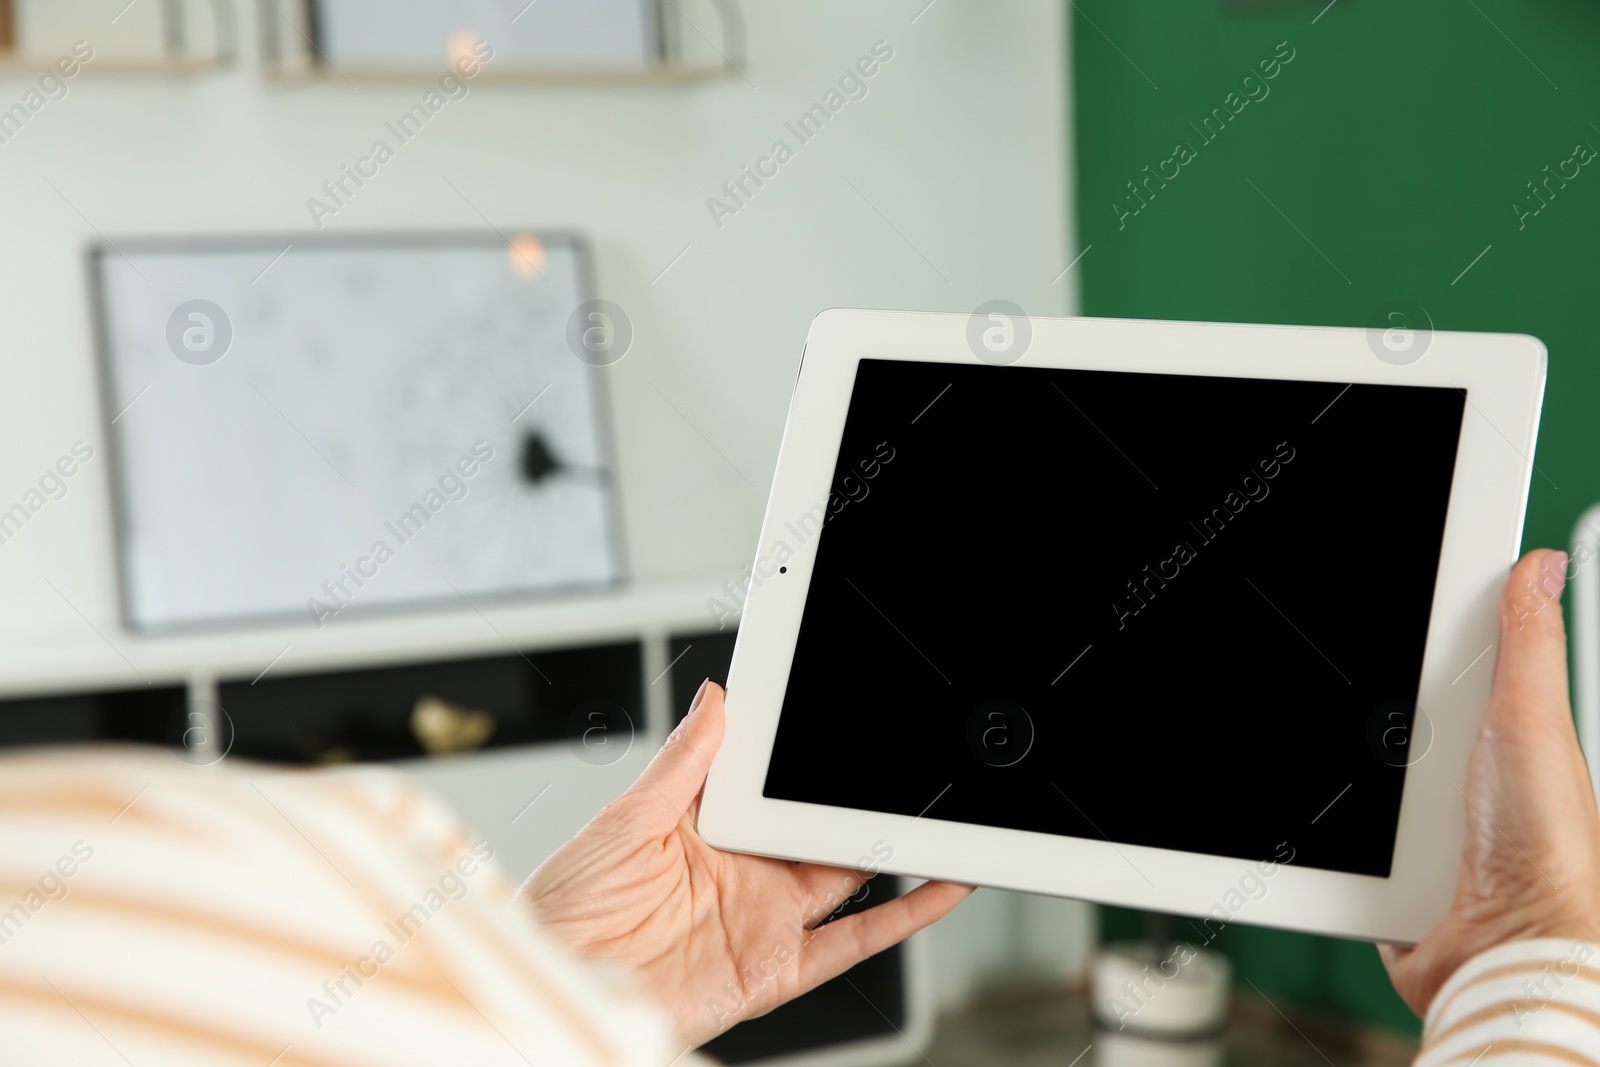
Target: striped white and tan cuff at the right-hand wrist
x=1526, y=1002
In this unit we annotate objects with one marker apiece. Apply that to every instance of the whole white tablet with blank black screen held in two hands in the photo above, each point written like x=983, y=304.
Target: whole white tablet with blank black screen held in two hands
x=1183, y=617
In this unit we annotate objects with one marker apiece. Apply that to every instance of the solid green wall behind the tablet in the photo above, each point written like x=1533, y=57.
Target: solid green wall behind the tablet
x=1383, y=159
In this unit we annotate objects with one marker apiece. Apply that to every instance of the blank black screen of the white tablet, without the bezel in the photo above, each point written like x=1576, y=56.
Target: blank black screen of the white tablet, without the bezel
x=1150, y=609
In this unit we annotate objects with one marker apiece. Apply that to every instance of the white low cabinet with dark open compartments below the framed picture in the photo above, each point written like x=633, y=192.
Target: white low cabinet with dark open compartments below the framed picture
x=260, y=693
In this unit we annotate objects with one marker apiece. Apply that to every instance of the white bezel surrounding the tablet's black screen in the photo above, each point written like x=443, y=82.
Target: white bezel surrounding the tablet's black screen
x=1503, y=377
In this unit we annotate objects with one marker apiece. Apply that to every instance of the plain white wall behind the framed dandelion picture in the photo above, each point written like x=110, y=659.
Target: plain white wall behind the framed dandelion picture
x=942, y=190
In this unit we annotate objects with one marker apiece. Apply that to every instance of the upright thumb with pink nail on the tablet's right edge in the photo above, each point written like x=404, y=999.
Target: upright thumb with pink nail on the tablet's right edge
x=1530, y=669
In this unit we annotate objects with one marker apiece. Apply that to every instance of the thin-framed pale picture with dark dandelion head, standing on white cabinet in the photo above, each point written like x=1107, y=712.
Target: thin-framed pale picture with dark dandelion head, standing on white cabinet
x=321, y=428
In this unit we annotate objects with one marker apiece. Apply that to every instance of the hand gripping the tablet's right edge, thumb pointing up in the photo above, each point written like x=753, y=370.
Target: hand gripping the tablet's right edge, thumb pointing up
x=1532, y=861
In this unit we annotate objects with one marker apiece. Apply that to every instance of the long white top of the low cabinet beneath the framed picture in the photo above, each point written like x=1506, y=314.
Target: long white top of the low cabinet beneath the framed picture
x=124, y=660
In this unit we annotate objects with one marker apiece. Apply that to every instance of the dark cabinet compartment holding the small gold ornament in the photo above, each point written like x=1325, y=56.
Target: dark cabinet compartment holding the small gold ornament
x=362, y=716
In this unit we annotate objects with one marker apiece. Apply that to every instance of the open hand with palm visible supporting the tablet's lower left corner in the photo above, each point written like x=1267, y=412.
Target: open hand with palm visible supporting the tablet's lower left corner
x=718, y=937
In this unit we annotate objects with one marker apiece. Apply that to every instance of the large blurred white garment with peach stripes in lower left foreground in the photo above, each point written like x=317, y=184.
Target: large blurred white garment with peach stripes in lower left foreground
x=153, y=913
